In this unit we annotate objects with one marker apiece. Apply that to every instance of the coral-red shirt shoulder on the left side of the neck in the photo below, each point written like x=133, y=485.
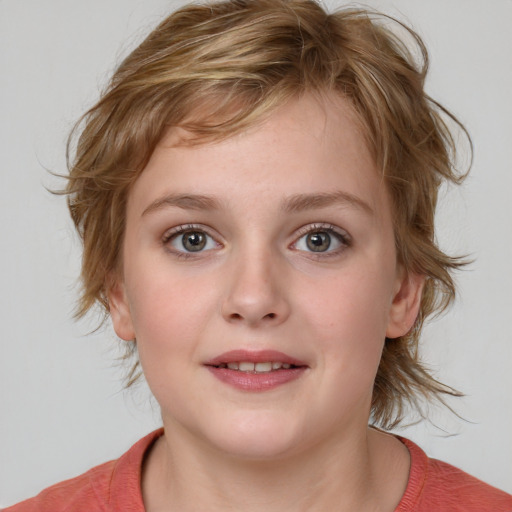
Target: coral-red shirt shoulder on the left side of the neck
x=112, y=486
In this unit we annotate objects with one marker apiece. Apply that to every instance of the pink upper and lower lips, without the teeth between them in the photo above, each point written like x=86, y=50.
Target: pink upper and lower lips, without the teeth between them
x=248, y=381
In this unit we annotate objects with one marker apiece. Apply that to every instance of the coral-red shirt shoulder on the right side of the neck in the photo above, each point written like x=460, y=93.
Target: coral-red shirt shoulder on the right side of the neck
x=436, y=486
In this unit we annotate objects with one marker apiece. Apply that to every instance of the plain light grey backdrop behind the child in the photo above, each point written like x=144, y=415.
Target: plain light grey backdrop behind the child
x=62, y=406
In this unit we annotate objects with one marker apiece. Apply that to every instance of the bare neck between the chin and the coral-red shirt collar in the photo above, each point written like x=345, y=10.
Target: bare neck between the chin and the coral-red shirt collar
x=364, y=472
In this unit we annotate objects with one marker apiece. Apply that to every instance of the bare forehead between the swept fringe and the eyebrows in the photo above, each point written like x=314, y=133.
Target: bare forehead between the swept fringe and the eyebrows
x=312, y=144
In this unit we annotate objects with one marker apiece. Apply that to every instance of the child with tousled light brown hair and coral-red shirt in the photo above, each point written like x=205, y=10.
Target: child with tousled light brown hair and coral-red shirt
x=255, y=194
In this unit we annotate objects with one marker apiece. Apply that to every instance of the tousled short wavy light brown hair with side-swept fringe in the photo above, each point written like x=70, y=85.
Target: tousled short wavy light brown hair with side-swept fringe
x=217, y=68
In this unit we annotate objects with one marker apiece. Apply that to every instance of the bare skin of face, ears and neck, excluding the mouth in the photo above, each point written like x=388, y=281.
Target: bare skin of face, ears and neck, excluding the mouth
x=257, y=285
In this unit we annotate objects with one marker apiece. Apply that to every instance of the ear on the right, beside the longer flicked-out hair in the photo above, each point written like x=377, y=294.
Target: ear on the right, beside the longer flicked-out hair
x=406, y=303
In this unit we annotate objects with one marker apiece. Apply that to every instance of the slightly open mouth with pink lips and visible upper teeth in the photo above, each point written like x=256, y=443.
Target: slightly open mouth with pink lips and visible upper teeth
x=256, y=371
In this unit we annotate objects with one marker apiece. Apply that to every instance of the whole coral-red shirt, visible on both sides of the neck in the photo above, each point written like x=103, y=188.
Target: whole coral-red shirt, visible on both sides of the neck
x=434, y=486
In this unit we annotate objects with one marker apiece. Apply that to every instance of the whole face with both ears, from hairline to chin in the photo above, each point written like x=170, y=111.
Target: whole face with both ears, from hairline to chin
x=260, y=281
